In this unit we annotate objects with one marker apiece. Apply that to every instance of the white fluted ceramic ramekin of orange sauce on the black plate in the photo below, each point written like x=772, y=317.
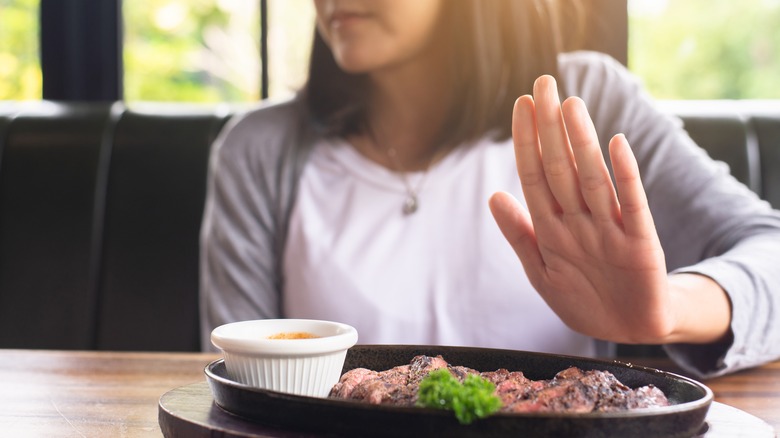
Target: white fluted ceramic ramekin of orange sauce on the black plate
x=299, y=366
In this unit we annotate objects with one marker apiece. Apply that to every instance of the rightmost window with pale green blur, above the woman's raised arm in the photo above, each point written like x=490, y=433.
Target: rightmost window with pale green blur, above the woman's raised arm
x=706, y=49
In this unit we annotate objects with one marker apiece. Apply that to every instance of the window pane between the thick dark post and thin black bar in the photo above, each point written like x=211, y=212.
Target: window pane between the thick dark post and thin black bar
x=194, y=51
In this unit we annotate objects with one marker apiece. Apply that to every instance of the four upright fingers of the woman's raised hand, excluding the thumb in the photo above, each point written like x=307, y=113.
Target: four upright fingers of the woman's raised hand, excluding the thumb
x=562, y=168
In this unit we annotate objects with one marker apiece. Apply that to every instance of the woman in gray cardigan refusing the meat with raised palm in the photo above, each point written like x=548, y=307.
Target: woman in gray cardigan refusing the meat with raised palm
x=365, y=199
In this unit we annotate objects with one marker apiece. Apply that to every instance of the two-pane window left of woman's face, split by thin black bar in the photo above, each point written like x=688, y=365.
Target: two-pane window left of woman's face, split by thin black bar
x=209, y=50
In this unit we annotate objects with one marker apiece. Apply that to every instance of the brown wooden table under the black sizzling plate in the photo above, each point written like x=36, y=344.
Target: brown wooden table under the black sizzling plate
x=107, y=394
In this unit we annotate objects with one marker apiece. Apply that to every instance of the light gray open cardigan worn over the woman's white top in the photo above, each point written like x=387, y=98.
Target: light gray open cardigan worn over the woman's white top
x=708, y=222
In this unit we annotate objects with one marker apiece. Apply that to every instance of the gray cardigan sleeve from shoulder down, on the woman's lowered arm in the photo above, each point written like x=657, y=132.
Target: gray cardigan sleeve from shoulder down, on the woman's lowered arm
x=250, y=188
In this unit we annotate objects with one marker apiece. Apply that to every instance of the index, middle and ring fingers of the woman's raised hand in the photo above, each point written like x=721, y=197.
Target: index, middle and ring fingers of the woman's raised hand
x=559, y=157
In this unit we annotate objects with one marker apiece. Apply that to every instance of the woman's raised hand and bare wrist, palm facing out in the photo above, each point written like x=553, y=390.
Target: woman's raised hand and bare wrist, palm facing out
x=589, y=247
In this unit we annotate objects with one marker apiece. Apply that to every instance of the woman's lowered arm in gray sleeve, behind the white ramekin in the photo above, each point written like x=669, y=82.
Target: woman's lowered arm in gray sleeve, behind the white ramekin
x=237, y=274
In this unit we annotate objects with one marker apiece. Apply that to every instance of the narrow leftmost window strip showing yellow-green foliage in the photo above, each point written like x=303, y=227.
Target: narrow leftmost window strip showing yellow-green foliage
x=20, y=71
